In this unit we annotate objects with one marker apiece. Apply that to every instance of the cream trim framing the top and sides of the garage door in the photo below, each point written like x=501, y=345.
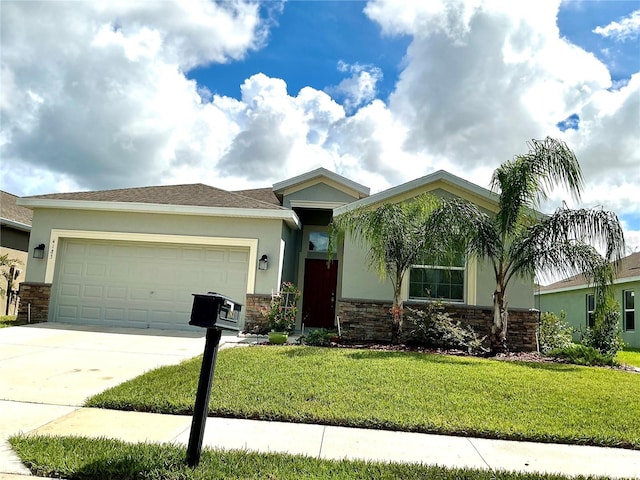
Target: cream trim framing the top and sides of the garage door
x=57, y=234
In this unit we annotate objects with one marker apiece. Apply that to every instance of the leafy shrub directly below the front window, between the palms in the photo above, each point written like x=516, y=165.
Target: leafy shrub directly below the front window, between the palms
x=433, y=327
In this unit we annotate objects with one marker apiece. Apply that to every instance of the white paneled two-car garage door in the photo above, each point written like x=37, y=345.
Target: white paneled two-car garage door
x=142, y=285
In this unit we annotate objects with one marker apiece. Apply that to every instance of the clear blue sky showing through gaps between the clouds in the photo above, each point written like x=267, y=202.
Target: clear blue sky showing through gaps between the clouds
x=310, y=38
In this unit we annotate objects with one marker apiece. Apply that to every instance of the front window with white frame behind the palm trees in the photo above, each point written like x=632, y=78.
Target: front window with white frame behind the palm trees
x=434, y=279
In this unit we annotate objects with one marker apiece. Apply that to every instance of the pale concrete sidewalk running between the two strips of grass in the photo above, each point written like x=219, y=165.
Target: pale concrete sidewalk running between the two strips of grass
x=332, y=442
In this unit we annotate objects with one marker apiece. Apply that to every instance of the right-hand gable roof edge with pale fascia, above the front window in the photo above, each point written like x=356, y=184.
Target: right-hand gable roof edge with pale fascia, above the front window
x=481, y=195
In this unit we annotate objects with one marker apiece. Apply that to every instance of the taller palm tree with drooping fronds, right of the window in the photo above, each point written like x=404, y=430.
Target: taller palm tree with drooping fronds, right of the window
x=520, y=242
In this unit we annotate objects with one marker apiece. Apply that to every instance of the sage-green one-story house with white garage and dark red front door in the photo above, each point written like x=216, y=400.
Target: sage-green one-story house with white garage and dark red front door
x=133, y=257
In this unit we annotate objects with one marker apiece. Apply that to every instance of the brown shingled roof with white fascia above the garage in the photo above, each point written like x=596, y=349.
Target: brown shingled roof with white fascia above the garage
x=193, y=199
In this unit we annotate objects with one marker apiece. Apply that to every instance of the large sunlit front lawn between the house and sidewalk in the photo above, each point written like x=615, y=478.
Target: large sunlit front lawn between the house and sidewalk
x=402, y=391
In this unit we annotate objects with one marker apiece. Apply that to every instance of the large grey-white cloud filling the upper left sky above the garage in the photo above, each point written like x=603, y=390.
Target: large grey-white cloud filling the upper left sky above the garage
x=96, y=90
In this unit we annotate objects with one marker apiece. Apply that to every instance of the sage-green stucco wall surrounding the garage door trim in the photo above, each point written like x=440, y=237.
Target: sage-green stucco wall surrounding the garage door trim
x=267, y=232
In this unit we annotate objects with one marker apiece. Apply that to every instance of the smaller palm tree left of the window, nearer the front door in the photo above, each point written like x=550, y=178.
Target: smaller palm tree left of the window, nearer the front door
x=396, y=236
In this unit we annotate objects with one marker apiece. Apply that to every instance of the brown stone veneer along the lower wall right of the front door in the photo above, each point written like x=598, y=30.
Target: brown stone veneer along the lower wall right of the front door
x=370, y=321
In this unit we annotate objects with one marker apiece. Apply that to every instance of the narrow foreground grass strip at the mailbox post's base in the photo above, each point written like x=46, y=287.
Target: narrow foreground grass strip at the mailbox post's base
x=102, y=459
